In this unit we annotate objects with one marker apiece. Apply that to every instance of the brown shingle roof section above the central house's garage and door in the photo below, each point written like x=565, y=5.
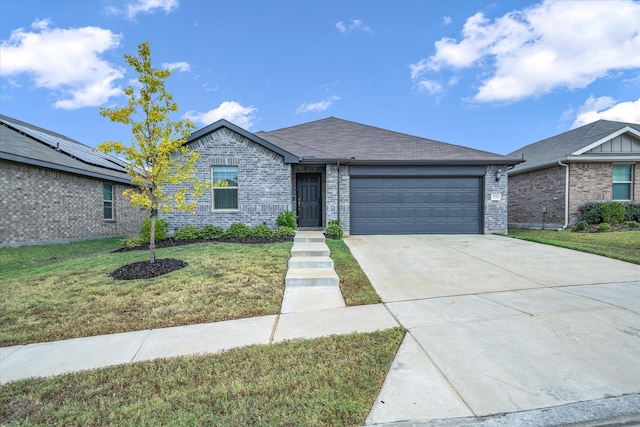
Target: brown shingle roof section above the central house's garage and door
x=334, y=138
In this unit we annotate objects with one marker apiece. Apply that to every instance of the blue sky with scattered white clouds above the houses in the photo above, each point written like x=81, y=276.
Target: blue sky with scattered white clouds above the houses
x=493, y=75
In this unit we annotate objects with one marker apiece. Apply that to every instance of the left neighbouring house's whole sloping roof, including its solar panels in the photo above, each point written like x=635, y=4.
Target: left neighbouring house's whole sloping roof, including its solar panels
x=25, y=143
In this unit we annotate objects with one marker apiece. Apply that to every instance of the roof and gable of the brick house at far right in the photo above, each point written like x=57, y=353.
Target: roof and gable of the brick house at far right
x=582, y=141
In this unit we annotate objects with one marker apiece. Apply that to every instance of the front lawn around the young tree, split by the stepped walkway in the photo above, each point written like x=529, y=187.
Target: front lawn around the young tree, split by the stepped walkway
x=64, y=291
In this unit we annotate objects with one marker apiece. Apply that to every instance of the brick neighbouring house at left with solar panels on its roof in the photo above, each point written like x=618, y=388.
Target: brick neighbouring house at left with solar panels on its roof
x=55, y=189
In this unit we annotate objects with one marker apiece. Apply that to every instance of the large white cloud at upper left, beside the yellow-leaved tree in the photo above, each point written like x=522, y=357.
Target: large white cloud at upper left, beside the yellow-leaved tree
x=66, y=61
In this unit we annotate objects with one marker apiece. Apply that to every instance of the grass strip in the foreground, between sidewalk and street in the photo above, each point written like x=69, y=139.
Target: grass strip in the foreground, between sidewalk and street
x=329, y=381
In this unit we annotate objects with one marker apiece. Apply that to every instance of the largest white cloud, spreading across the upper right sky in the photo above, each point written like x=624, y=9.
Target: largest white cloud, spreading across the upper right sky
x=553, y=44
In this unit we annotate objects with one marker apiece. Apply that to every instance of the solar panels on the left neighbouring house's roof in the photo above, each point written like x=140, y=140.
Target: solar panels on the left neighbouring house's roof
x=71, y=148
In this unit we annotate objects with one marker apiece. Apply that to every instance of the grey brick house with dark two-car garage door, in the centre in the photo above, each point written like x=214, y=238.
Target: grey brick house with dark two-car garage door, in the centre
x=374, y=180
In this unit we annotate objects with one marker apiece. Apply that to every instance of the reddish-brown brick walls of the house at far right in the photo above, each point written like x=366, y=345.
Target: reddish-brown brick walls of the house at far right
x=588, y=182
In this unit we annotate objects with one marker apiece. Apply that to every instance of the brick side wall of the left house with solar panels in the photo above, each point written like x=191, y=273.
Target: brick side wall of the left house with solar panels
x=43, y=205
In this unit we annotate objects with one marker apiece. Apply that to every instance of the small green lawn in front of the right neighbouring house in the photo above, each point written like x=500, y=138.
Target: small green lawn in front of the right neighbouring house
x=622, y=245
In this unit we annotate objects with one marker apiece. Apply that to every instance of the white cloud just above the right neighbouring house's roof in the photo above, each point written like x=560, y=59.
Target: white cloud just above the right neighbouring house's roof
x=607, y=108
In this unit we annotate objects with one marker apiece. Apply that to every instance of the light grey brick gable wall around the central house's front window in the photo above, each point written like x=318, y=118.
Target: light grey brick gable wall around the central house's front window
x=264, y=182
